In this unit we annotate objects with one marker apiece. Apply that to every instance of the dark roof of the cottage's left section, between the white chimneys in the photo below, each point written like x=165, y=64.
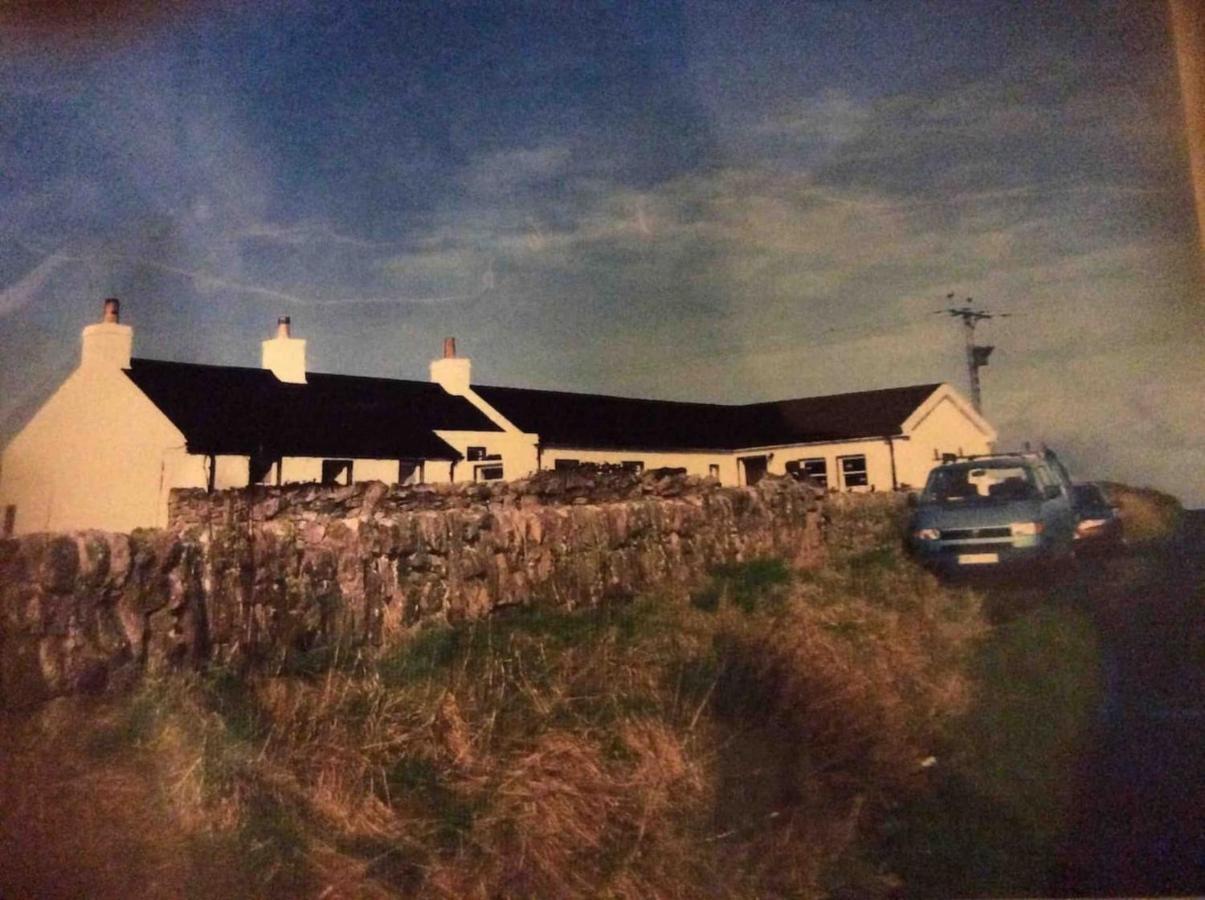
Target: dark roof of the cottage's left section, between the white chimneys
x=243, y=411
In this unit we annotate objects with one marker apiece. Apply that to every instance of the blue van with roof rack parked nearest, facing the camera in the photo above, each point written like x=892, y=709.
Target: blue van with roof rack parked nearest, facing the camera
x=994, y=513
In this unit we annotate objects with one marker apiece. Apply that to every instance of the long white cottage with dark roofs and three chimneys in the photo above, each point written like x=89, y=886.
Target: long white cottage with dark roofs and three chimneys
x=122, y=432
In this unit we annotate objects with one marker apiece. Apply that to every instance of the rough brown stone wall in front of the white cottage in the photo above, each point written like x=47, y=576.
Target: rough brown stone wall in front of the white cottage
x=262, y=578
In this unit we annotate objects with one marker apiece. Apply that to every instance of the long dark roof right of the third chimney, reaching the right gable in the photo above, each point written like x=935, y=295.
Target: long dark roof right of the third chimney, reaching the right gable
x=565, y=420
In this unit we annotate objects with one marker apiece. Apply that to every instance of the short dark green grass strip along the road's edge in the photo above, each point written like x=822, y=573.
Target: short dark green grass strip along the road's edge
x=1001, y=798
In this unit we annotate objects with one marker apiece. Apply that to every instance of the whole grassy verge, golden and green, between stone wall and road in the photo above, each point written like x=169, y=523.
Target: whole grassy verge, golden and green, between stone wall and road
x=854, y=731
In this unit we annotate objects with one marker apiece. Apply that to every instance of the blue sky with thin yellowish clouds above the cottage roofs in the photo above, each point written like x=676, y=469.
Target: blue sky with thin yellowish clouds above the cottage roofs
x=719, y=202
